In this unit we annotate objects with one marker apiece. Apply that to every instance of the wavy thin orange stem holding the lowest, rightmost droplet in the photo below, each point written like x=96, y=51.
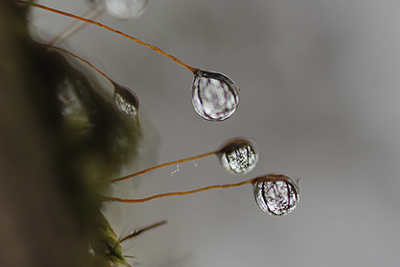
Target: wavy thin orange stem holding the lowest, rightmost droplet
x=178, y=193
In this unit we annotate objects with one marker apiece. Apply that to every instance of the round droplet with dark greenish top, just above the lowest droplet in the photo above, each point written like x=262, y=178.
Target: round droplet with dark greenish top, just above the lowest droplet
x=238, y=155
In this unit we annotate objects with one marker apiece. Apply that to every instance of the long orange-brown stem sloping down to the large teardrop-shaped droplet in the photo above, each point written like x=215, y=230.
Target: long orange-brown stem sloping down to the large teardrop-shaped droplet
x=158, y=50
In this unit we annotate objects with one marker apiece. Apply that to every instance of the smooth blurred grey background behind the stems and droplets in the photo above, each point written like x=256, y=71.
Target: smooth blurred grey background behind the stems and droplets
x=320, y=94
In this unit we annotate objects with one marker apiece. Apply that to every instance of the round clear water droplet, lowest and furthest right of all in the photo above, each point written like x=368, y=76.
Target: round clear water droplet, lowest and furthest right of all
x=276, y=194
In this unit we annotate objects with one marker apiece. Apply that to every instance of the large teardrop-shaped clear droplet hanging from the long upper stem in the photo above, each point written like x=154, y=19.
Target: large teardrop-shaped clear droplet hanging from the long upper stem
x=215, y=96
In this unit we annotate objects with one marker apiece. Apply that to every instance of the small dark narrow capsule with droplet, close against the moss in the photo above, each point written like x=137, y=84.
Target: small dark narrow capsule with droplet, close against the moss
x=126, y=100
